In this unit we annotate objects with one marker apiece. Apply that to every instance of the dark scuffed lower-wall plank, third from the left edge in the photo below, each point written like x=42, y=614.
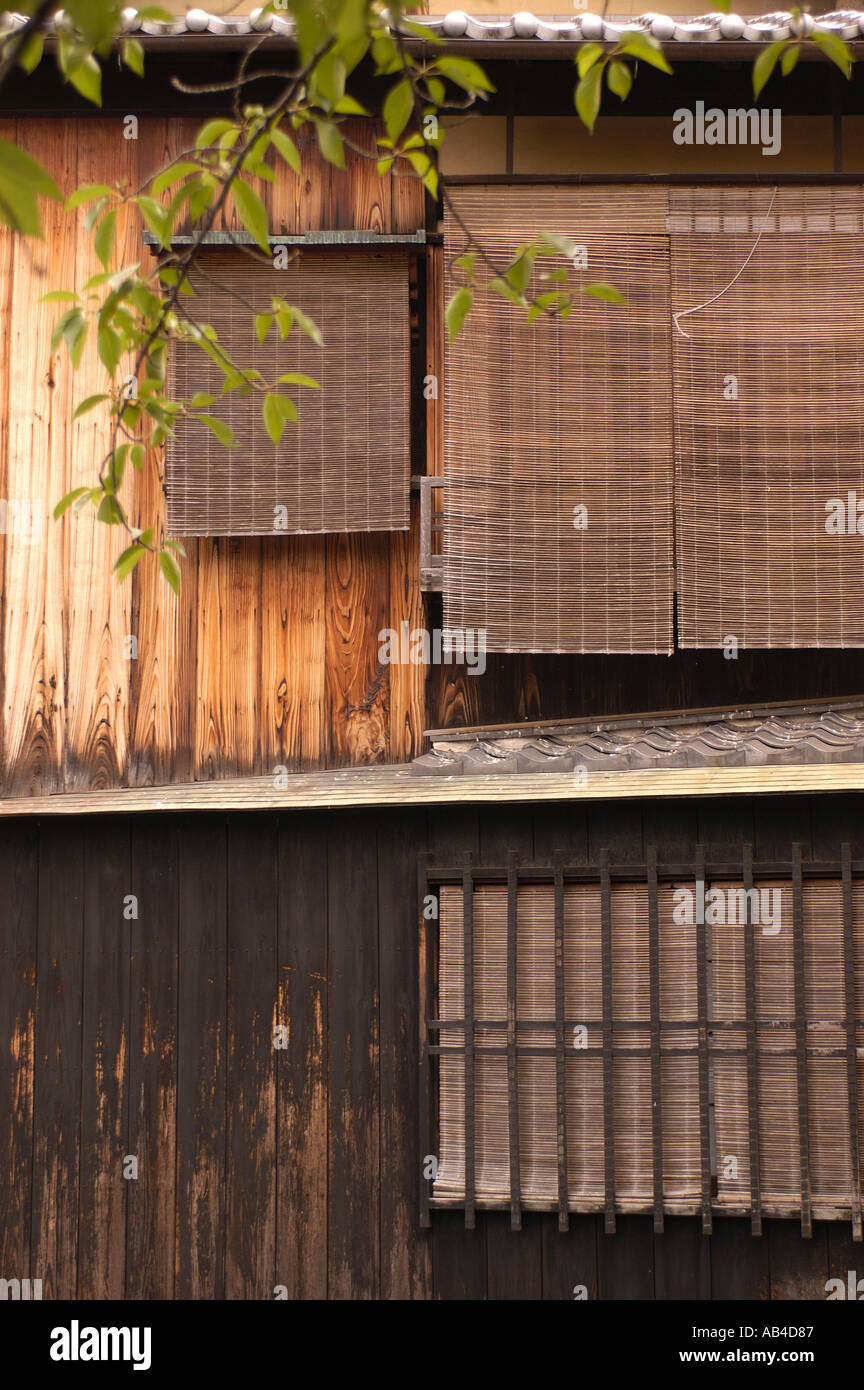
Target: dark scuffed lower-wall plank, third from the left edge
x=105, y=1104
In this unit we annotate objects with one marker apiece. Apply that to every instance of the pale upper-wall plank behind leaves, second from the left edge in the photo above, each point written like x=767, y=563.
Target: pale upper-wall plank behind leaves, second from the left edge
x=98, y=619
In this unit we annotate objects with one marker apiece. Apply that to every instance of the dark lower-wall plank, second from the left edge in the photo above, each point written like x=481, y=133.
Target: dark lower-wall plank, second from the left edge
x=58, y=1067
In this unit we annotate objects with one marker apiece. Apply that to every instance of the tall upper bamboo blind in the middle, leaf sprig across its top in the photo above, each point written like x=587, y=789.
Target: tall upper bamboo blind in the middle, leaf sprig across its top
x=548, y=418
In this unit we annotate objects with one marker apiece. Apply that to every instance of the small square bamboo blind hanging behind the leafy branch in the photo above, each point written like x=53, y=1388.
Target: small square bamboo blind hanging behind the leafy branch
x=345, y=465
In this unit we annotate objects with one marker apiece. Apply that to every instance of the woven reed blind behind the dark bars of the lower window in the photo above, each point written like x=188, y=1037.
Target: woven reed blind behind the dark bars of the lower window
x=829, y=1043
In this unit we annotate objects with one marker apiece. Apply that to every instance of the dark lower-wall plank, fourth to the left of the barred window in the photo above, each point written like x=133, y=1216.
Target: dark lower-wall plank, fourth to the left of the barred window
x=252, y=1072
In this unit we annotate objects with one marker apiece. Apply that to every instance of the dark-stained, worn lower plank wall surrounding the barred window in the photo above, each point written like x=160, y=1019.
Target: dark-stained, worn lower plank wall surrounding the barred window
x=153, y=1038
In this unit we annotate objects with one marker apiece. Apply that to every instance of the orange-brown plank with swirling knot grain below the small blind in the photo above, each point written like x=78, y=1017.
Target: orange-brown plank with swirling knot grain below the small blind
x=358, y=685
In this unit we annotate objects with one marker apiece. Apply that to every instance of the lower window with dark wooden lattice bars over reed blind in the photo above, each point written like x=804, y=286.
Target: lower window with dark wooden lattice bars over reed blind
x=624, y=1040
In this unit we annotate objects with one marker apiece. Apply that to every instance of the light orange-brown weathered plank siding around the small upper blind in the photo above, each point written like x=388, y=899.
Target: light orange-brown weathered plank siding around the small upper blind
x=270, y=657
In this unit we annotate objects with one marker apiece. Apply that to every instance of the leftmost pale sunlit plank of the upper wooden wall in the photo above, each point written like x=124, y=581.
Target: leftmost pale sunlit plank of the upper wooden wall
x=40, y=434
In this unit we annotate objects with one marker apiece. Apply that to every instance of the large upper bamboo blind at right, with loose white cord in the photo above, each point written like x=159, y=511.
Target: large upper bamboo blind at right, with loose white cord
x=769, y=414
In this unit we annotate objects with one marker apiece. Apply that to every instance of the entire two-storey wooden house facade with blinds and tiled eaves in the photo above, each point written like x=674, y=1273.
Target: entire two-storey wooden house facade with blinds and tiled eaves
x=260, y=879
